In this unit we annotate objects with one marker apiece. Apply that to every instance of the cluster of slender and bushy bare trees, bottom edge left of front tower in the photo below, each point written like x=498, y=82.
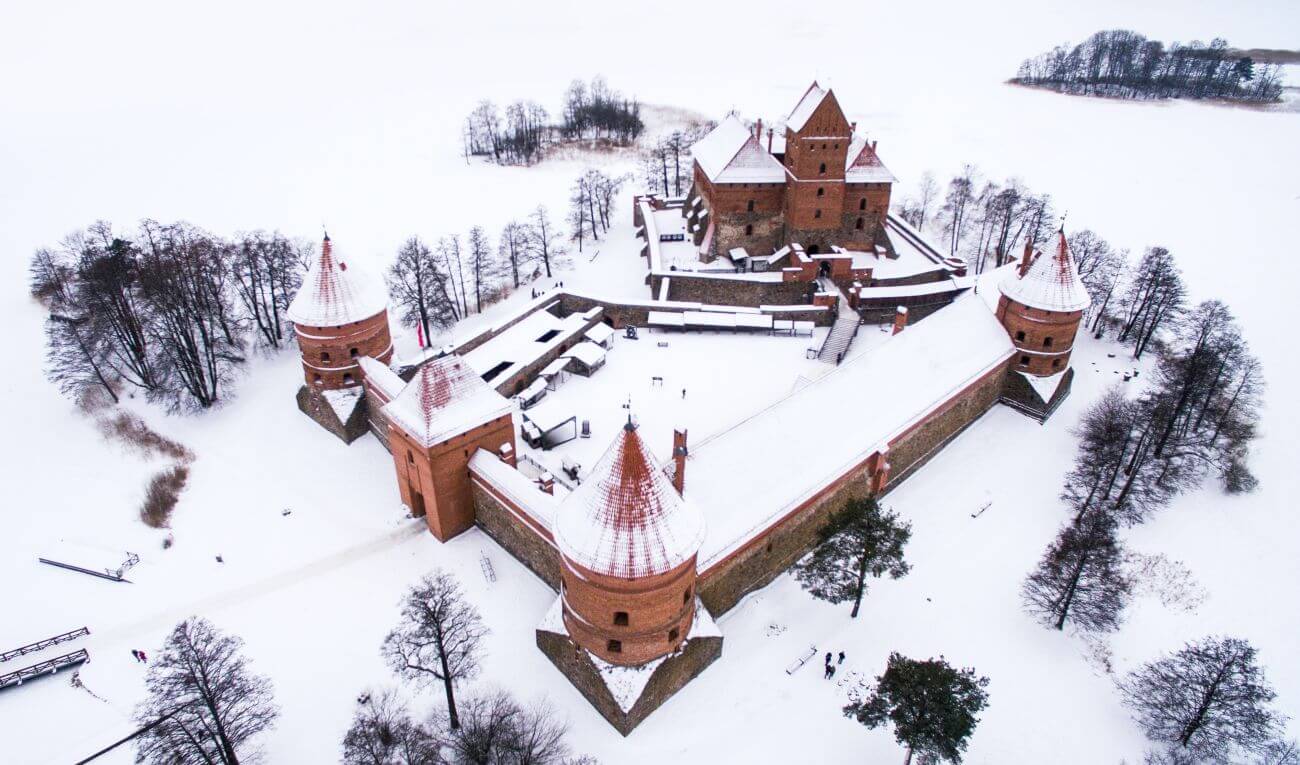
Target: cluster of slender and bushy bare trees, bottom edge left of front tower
x=439, y=643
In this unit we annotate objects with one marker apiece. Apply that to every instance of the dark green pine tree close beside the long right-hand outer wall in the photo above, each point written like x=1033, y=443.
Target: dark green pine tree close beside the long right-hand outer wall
x=860, y=541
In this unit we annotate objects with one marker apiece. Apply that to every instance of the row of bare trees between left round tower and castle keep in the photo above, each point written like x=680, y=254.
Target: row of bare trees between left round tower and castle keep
x=437, y=287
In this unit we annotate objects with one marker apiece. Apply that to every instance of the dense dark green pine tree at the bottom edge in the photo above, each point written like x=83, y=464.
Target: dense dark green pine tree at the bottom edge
x=933, y=707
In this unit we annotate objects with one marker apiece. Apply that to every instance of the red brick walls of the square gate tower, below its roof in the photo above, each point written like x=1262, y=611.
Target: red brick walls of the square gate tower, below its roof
x=439, y=478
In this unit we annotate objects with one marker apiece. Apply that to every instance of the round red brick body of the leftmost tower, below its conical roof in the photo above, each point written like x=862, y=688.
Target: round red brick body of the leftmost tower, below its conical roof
x=330, y=353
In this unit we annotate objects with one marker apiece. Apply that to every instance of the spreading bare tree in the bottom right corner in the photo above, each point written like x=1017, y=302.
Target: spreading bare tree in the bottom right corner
x=1211, y=699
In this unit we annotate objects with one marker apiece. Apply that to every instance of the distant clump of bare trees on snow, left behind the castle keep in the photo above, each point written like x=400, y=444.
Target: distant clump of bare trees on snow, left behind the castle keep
x=591, y=113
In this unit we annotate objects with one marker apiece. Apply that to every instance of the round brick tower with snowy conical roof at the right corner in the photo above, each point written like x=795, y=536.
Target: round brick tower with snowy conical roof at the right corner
x=1042, y=308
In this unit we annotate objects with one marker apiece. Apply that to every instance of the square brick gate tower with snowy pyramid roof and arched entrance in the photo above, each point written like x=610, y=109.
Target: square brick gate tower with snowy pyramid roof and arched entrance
x=436, y=425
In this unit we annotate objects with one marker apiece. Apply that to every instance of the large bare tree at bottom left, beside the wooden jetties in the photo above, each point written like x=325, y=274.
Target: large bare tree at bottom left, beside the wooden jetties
x=215, y=703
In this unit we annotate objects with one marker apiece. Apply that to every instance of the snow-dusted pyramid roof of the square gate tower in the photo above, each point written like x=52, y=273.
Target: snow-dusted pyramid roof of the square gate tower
x=445, y=399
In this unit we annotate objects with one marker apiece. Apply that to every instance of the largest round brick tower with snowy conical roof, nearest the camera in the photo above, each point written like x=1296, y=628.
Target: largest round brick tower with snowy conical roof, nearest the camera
x=629, y=544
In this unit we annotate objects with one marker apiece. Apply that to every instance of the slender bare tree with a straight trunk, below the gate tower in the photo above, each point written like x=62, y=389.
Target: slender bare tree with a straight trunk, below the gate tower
x=437, y=638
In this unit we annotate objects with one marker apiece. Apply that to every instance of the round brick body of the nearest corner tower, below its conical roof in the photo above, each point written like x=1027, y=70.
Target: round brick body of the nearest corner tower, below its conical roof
x=656, y=607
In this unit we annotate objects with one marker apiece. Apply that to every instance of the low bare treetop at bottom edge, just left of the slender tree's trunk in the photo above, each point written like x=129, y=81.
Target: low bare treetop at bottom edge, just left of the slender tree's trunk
x=383, y=733
